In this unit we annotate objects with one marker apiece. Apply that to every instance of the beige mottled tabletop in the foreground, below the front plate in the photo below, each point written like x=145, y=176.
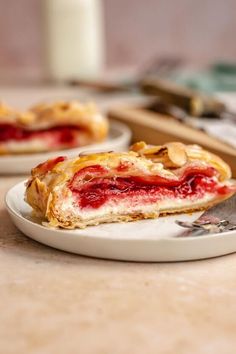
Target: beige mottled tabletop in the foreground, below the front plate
x=55, y=302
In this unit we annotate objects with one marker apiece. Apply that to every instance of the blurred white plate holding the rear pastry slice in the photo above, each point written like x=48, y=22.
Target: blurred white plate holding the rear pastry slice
x=118, y=140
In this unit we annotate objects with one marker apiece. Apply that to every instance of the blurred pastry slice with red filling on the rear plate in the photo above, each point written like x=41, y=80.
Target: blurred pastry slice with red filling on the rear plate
x=49, y=127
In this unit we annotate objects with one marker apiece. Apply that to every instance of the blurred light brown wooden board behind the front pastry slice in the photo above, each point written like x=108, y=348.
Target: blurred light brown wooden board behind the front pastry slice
x=155, y=128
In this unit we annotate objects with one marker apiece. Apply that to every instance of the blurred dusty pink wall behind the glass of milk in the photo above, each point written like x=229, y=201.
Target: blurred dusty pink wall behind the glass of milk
x=200, y=30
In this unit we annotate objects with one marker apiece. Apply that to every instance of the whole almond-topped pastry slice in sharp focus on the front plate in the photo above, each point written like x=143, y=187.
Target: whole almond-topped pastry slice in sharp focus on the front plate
x=143, y=183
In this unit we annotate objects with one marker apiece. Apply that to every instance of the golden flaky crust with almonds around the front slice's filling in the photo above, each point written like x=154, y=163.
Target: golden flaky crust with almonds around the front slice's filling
x=48, y=186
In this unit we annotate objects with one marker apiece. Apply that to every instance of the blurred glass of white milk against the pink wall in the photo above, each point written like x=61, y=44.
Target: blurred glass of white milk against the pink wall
x=74, y=40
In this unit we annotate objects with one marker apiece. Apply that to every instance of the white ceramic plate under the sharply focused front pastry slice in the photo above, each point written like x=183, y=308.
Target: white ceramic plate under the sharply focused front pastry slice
x=145, y=241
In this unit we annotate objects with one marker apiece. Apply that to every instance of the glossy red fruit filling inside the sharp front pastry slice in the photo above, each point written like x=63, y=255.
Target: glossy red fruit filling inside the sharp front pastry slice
x=92, y=188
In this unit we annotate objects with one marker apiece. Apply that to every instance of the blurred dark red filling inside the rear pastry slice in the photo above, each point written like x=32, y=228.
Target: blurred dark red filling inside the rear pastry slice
x=58, y=135
